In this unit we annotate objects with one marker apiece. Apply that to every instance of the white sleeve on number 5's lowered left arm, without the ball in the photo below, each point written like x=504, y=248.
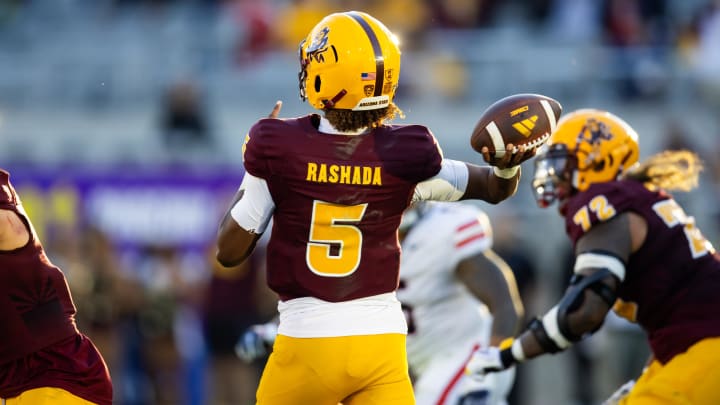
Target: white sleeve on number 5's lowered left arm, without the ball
x=255, y=208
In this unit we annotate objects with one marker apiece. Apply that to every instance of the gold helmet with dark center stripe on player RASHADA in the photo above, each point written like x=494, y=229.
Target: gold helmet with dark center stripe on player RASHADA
x=349, y=61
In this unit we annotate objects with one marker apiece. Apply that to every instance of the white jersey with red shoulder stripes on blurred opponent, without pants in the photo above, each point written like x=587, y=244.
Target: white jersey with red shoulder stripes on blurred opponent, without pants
x=441, y=313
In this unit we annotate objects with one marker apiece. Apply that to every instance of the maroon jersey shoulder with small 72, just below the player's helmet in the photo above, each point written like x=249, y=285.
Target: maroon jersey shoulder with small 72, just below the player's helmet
x=599, y=203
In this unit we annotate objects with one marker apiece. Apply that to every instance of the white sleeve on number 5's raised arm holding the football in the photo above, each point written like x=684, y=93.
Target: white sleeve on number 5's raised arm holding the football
x=448, y=185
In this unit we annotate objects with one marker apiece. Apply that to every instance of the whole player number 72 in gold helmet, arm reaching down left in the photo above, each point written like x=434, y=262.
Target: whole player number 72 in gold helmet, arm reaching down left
x=637, y=252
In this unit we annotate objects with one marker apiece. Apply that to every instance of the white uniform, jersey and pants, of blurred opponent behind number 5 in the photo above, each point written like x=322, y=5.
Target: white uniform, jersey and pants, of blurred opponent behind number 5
x=446, y=323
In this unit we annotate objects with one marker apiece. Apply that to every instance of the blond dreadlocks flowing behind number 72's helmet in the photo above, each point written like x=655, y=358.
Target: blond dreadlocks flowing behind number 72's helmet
x=676, y=170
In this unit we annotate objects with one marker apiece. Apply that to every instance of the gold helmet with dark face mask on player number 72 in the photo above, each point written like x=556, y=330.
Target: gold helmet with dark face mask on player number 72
x=589, y=146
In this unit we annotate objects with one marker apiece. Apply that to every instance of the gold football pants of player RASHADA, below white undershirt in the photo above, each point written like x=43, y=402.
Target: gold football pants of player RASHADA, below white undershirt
x=352, y=370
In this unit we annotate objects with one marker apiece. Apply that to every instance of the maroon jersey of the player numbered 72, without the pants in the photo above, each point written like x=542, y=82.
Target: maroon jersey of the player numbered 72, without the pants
x=672, y=282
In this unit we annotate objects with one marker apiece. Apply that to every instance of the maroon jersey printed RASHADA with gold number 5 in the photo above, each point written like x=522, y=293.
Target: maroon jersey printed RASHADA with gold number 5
x=338, y=203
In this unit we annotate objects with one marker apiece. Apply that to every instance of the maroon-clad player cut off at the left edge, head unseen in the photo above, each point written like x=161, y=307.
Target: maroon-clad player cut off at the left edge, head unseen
x=44, y=359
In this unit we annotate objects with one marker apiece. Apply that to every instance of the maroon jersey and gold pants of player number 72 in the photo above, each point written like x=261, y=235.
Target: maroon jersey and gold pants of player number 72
x=670, y=289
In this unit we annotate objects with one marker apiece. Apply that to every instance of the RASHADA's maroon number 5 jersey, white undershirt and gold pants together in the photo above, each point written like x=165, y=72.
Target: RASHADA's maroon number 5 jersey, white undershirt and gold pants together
x=333, y=257
